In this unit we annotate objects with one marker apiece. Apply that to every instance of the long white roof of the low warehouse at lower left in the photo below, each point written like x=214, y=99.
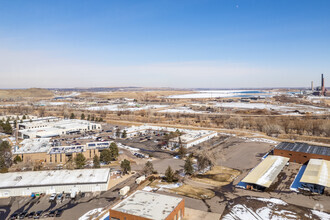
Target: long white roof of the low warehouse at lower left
x=54, y=177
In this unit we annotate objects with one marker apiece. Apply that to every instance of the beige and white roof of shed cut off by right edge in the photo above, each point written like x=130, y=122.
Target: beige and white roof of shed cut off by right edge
x=317, y=172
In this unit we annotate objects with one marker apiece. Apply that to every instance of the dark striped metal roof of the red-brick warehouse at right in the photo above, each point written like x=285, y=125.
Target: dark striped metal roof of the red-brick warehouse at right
x=305, y=148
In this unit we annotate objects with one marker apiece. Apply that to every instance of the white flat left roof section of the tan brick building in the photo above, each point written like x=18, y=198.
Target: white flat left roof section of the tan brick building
x=38, y=145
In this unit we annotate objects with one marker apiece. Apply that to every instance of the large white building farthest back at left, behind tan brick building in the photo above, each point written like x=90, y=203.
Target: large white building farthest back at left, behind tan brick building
x=56, y=128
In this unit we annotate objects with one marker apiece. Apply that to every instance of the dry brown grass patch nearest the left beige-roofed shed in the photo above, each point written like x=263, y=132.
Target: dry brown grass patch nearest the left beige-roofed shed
x=218, y=176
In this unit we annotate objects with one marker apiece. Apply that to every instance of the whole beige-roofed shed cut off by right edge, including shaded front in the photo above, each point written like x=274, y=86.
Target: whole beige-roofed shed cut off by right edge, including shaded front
x=316, y=176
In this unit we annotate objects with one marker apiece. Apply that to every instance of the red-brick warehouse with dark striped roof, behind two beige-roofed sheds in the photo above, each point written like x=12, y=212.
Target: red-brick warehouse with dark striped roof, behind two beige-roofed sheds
x=302, y=152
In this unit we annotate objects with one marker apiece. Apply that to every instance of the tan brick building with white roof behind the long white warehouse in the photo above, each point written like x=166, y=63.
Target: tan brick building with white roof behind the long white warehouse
x=40, y=150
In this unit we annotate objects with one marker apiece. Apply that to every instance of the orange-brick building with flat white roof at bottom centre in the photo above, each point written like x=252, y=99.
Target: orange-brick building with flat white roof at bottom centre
x=142, y=205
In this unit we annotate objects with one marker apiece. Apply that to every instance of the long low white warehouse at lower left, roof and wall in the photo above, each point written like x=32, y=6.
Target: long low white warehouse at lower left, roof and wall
x=55, y=181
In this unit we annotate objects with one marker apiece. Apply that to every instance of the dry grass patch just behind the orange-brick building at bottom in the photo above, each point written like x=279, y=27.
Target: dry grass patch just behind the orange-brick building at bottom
x=194, y=192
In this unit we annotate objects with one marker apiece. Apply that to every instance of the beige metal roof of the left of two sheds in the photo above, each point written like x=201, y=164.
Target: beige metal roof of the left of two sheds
x=266, y=171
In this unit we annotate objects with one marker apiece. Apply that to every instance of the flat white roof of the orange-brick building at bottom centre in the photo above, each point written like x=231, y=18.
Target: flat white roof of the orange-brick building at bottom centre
x=148, y=205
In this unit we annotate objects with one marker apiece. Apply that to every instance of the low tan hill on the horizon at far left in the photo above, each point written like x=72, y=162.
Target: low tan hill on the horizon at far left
x=17, y=93
